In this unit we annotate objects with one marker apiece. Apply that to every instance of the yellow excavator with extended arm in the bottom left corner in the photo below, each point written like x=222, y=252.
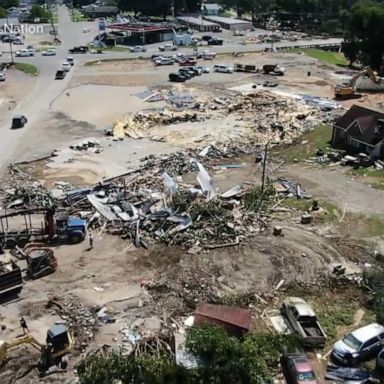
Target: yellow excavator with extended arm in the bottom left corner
x=59, y=343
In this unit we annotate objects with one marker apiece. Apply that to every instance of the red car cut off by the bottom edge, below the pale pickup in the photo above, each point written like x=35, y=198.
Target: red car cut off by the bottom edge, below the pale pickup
x=297, y=369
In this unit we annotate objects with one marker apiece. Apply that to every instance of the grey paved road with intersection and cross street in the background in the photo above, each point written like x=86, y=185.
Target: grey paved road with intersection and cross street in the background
x=36, y=105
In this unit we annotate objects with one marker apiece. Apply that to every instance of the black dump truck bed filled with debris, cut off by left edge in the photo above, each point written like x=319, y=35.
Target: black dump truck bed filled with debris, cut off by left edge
x=11, y=281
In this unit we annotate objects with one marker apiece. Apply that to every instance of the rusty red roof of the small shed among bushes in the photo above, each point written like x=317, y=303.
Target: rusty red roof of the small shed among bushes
x=235, y=316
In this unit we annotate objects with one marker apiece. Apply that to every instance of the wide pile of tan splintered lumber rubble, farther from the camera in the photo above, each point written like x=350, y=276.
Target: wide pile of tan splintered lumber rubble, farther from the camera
x=262, y=115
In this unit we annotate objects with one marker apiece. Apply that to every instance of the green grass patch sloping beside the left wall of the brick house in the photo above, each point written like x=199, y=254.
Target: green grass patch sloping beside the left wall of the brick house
x=318, y=138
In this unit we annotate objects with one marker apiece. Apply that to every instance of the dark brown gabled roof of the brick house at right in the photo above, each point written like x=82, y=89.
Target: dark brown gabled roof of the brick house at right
x=365, y=118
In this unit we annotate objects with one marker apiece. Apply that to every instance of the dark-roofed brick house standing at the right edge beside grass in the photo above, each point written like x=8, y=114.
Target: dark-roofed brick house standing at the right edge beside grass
x=359, y=130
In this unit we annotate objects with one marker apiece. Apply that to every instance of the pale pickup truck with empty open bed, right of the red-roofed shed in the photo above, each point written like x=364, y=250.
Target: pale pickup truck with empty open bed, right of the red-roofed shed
x=304, y=322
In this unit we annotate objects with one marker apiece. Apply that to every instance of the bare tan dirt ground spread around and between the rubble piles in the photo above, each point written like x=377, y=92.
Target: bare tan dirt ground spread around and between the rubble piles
x=162, y=282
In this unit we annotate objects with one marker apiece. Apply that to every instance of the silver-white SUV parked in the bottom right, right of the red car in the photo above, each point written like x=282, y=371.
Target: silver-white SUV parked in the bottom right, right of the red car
x=359, y=345
